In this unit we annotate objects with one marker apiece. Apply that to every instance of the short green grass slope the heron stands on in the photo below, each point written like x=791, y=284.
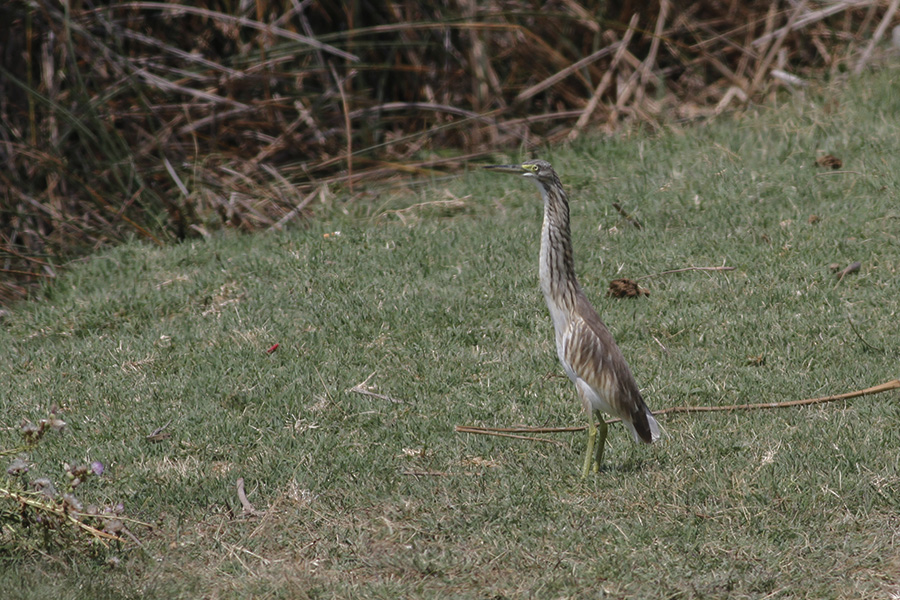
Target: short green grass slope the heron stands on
x=437, y=308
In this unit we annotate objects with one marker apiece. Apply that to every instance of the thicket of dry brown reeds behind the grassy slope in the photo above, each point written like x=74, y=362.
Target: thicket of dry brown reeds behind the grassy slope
x=215, y=91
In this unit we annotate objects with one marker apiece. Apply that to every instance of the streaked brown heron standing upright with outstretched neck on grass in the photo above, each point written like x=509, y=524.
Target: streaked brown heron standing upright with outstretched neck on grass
x=585, y=347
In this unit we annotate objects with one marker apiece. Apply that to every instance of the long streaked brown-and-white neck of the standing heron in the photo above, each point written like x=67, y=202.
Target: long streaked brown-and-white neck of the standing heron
x=557, y=270
